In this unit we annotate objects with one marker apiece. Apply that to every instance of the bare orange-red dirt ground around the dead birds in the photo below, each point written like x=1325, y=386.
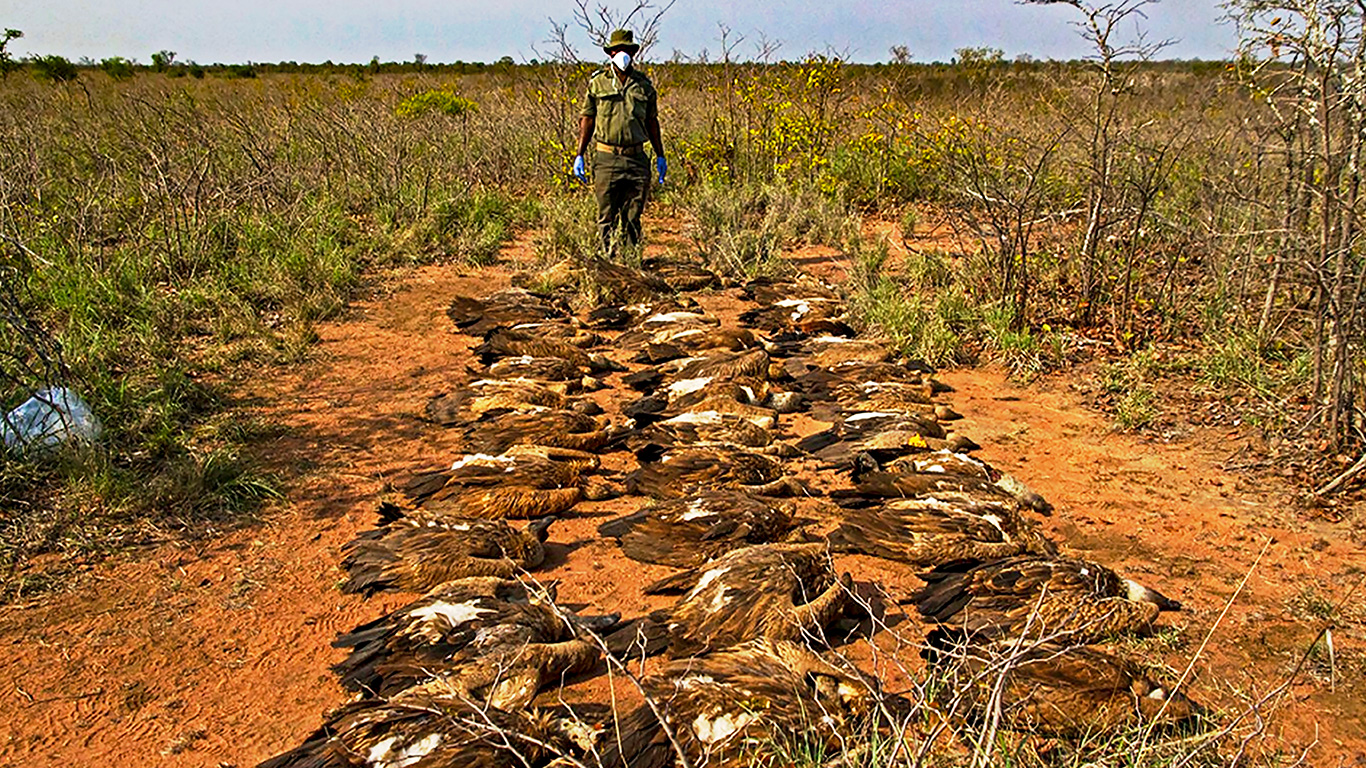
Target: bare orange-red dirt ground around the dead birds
x=218, y=654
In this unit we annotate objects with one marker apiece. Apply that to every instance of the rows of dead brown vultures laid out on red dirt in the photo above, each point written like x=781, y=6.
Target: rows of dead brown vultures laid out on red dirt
x=453, y=678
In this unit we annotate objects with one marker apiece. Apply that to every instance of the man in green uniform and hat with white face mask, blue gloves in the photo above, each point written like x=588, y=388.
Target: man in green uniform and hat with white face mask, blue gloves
x=621, y=114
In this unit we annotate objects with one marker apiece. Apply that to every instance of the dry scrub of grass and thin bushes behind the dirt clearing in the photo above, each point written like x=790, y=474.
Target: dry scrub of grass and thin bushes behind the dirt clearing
x=180, y=228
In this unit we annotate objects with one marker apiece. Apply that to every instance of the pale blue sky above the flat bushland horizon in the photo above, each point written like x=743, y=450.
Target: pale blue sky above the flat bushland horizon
x=484, y=31
